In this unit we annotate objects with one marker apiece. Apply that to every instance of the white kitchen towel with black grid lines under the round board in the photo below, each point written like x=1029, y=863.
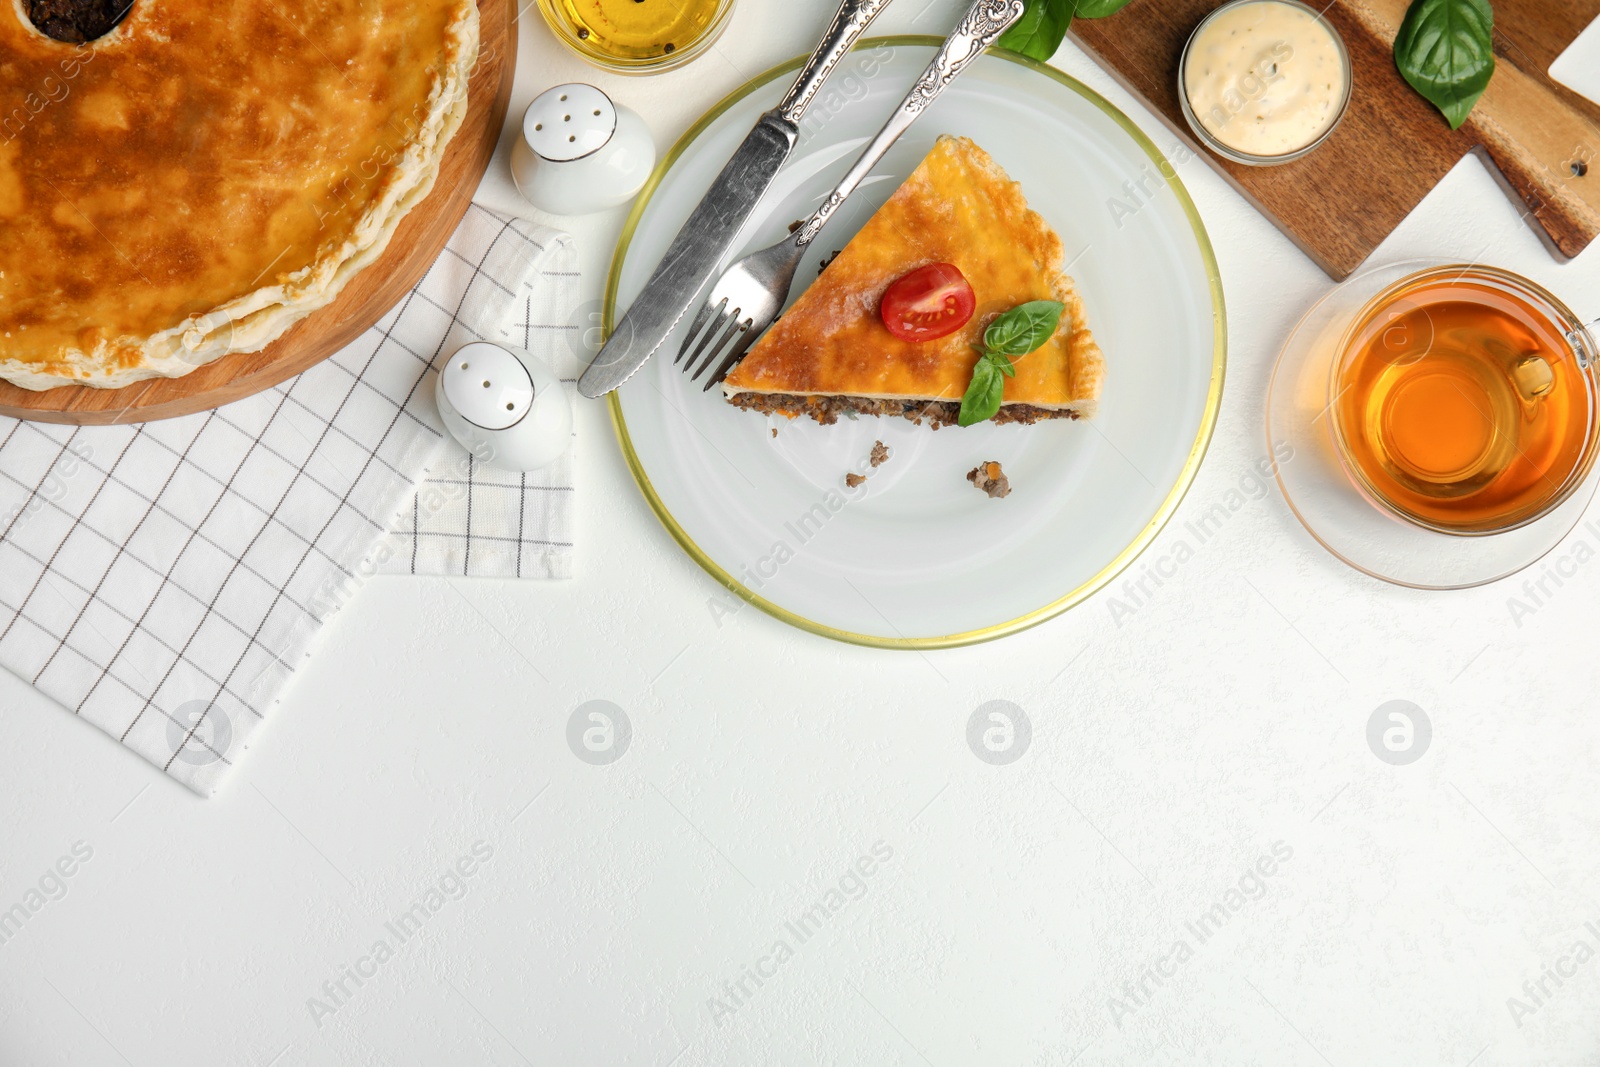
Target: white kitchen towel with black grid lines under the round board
x=166, y=581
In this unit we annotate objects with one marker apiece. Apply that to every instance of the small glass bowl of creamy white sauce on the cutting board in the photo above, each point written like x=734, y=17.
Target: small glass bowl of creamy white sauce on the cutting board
x=1266, y=78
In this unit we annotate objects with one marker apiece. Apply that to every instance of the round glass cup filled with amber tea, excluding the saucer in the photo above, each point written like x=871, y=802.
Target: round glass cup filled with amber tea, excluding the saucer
x=1463, y=402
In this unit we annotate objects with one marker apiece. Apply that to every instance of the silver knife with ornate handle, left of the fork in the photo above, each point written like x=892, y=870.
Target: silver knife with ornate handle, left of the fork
x=698, y=249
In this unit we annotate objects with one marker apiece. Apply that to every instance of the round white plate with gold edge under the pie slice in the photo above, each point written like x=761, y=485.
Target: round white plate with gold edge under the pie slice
x=918, y=557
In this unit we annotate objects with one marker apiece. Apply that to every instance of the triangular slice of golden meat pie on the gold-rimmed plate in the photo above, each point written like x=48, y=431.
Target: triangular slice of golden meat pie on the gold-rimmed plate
x=831, y=354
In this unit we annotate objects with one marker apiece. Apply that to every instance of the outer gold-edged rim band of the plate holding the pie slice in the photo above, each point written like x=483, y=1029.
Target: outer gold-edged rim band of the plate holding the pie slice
x=1071, y=599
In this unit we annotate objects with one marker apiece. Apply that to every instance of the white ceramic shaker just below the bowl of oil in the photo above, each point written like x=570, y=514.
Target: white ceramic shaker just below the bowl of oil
x=580, y=153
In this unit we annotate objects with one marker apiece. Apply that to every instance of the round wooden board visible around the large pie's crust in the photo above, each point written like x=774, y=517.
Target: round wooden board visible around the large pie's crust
x=364, y=302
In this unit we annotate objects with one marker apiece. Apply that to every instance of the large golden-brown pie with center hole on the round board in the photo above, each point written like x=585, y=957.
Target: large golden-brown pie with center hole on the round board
x=207, y=175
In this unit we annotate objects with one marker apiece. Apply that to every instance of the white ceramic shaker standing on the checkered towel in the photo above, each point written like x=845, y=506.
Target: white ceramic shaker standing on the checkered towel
x=505, y=407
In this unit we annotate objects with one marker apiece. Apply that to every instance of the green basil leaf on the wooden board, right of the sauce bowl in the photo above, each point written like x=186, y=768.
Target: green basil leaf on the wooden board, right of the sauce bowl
x=1446, y=49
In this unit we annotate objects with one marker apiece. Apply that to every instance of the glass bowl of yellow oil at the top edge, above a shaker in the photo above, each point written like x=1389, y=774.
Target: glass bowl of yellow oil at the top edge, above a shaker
x=638, y=36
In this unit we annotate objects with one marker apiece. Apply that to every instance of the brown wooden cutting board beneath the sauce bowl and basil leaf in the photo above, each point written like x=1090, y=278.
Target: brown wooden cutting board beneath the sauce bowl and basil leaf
x=1393, y=148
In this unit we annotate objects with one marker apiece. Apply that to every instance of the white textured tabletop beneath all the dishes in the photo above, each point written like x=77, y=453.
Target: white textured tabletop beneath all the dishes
x=1098, y=901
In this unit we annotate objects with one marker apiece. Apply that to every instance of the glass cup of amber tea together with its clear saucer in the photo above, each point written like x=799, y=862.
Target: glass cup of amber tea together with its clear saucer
x=1436, y=425
